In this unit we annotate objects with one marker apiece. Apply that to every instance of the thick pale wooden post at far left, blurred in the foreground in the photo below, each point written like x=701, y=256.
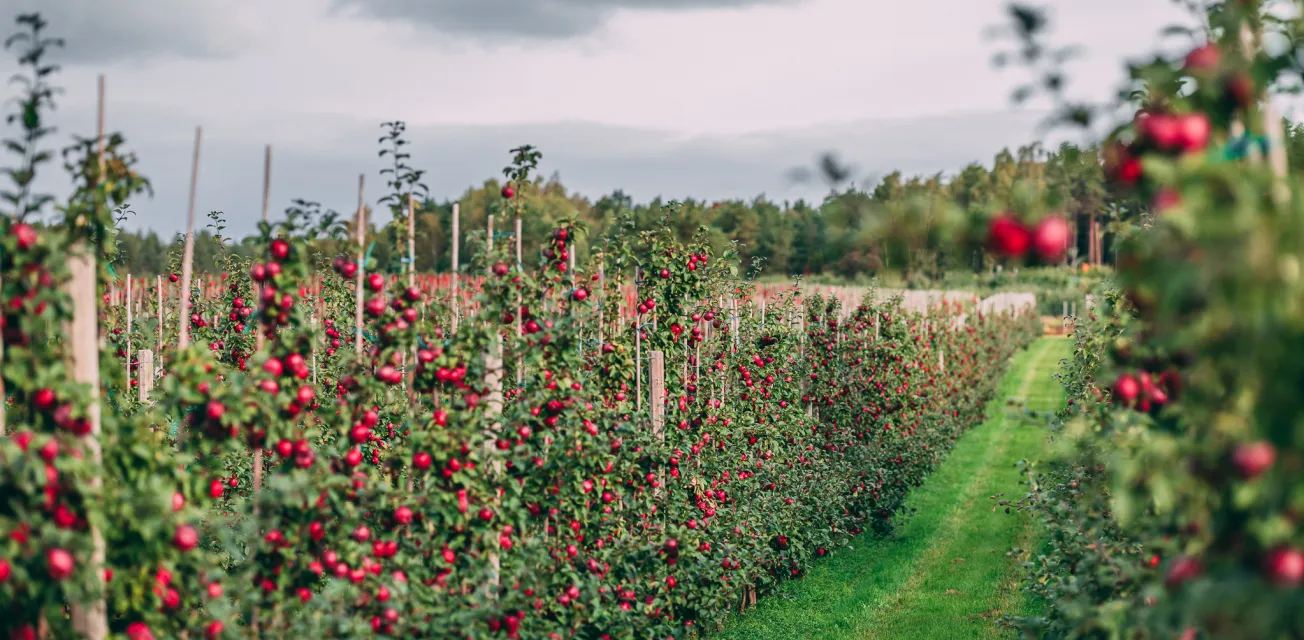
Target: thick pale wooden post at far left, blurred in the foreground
x=92, y=618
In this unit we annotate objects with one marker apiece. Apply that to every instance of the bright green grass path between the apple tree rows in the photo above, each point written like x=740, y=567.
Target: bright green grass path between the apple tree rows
x=946, y=573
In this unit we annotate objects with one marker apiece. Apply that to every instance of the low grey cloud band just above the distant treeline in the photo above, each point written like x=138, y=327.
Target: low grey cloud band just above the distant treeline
x=591, y=160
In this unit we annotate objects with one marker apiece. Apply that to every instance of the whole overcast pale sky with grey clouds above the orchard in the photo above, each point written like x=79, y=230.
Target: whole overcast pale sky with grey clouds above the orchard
x=680, y=98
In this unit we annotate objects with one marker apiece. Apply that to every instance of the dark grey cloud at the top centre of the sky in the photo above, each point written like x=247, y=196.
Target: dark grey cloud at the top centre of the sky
x=530, y=19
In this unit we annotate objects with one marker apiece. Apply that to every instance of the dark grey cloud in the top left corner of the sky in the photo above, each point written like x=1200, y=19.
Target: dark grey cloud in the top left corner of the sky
x=101, y=32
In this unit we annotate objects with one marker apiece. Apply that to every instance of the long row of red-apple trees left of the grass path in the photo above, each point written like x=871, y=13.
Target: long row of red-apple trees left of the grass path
x=488, y=483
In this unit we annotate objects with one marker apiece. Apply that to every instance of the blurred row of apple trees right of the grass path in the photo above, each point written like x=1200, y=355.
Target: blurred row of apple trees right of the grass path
x=1173, y=505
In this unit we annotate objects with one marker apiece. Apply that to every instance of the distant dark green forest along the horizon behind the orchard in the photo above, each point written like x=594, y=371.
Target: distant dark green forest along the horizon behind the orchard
x=853, y=234
